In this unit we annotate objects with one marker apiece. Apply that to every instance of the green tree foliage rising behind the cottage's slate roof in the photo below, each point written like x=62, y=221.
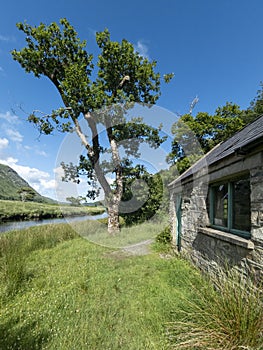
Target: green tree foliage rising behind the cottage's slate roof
x=195, y=136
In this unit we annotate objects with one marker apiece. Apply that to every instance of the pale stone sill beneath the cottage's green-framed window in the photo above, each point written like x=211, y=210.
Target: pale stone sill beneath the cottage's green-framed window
x=227, y=237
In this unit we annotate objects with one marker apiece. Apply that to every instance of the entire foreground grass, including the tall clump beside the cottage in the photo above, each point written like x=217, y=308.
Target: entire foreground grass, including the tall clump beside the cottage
x=60, y=291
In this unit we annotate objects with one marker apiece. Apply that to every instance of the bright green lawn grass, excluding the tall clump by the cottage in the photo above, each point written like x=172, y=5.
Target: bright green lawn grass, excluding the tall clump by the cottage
x=72, y=294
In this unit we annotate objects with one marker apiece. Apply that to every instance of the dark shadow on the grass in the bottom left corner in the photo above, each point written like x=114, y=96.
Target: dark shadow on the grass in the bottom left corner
x=21, y=337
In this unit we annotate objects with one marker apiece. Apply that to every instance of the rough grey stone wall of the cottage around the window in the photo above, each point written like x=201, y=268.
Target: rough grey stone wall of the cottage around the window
x=207, y=247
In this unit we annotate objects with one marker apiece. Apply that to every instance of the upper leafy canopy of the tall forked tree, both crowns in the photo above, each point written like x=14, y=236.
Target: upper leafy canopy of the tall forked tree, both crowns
x=56, y=52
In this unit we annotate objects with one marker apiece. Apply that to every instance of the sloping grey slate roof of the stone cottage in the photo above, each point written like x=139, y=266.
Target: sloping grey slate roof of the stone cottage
x=241, y=141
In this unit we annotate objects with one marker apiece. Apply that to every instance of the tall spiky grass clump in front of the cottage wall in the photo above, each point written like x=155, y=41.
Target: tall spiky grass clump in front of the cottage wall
x=226, y=313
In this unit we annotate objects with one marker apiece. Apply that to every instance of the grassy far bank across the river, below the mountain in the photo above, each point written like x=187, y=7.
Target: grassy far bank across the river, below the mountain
x=17, y=210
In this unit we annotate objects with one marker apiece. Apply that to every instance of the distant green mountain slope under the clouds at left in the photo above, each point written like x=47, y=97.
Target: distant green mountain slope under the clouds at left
x=11, y=183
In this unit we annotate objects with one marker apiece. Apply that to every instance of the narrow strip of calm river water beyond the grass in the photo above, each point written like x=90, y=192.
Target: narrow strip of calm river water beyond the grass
x=20, y=225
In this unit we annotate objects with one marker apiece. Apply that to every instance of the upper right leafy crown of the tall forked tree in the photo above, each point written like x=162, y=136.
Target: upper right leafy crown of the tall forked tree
x=124, y=75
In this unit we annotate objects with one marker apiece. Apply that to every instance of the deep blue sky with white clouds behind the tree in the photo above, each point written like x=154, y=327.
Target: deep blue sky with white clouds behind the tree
x=213, y=48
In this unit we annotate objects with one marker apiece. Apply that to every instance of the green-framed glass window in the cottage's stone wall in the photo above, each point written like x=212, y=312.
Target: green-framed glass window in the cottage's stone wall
x=230, y=206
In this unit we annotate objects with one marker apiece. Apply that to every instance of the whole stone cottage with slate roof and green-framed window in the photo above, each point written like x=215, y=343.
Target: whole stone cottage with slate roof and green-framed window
x=217, y=204
